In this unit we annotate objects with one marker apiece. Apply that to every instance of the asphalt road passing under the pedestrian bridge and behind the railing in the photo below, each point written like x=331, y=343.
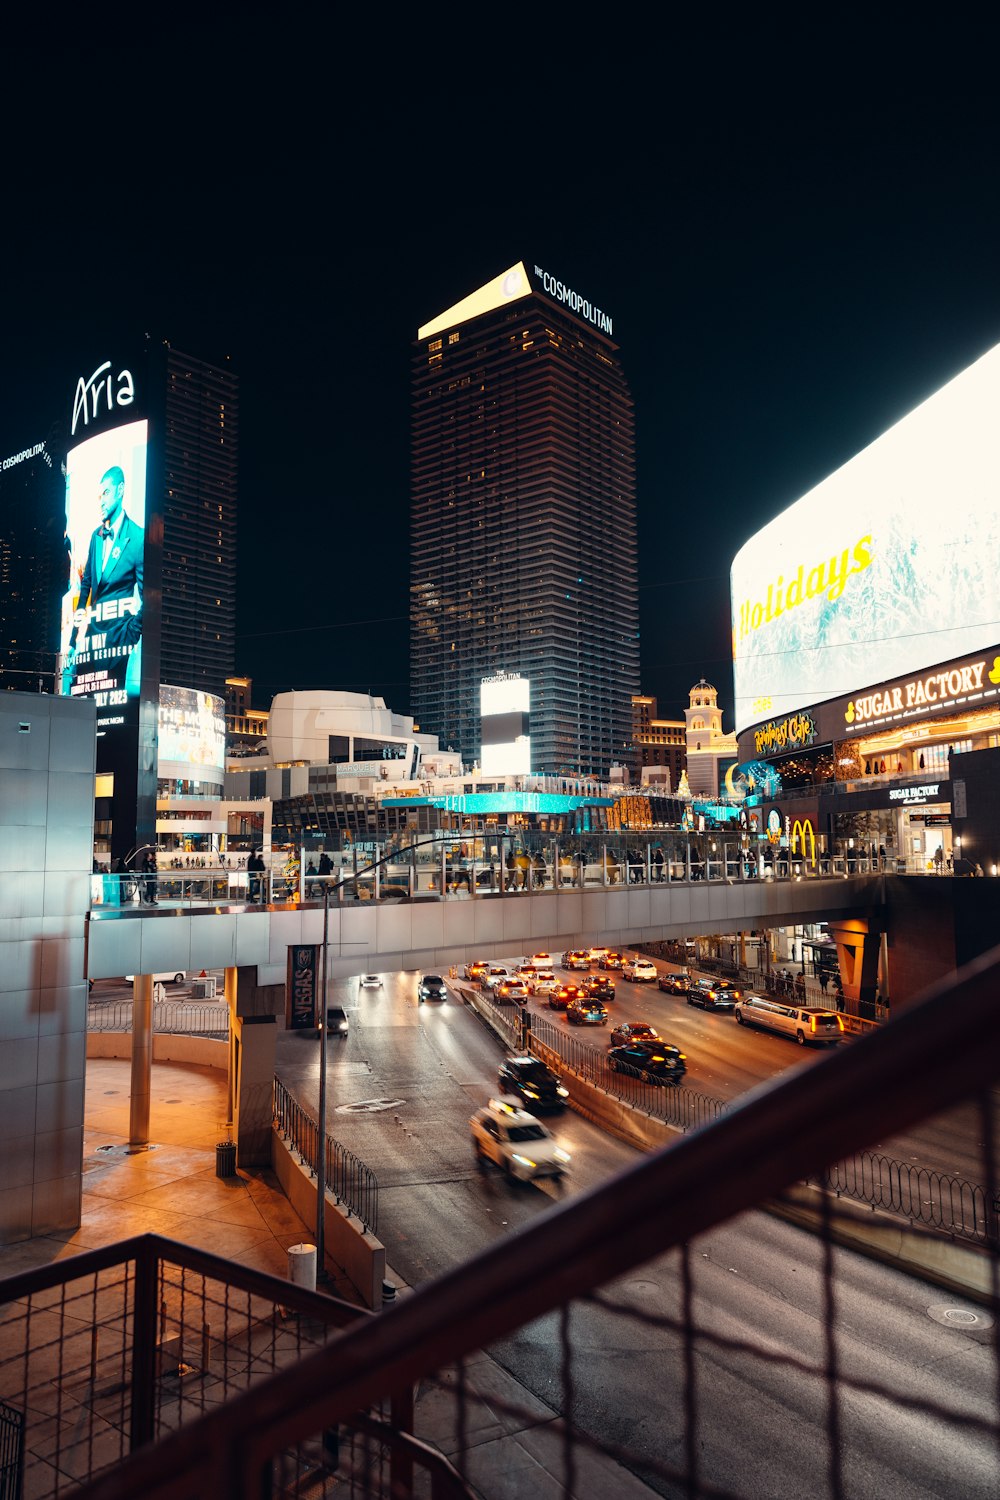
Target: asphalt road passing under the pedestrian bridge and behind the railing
x=761, y=1417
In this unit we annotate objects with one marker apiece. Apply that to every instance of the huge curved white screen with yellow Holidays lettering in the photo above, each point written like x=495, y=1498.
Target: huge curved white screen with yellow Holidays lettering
x=887, y=568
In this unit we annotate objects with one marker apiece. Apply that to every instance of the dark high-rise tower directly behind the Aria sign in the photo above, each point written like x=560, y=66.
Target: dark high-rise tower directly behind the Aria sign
x=200, y=518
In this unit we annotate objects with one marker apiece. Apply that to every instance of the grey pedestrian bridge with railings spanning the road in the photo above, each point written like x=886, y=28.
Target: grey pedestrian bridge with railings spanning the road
x=193, y=931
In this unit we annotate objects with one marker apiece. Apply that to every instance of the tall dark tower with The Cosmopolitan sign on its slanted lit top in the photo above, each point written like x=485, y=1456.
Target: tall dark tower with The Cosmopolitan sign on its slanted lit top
x=524, y=521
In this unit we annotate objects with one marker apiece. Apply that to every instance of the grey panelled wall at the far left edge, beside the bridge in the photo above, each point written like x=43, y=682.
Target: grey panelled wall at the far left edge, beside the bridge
x=47, y=809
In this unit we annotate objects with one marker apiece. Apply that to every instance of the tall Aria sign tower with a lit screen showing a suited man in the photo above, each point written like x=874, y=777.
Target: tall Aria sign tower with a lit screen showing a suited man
x=107, y=649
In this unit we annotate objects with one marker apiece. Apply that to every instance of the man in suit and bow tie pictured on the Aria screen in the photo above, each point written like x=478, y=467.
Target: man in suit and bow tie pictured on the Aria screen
x=112, y=587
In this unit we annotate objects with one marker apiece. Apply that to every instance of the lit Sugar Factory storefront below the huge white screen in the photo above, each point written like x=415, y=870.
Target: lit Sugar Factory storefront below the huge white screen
x=870, y=772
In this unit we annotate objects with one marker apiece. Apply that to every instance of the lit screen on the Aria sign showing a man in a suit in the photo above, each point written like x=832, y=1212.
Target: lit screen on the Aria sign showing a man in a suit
x=101, y=638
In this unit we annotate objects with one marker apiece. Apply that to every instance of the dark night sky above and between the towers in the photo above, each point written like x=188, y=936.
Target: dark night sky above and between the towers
x=794, y=251
